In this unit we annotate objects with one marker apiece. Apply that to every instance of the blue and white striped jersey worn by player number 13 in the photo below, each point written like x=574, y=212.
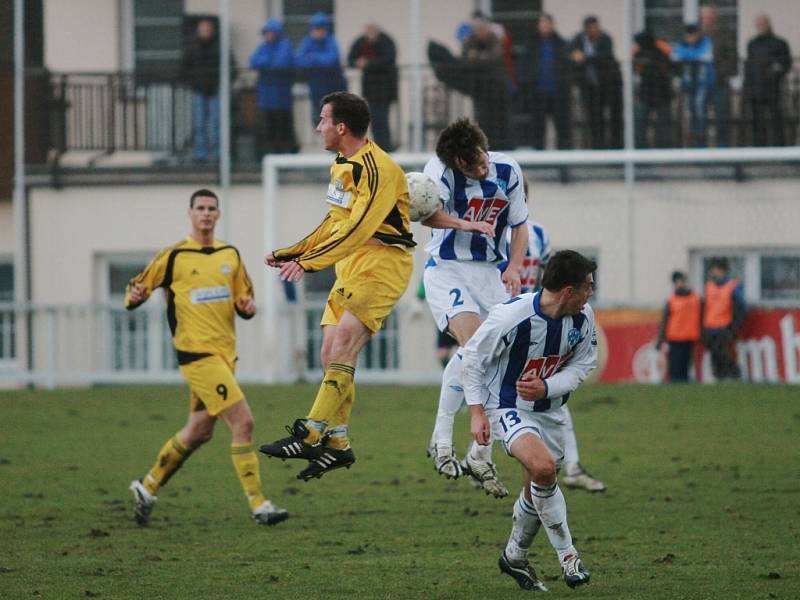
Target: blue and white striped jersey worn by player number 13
x=517, y=339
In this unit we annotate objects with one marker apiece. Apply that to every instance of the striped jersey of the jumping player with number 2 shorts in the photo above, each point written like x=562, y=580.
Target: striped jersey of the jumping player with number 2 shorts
x=498, y=199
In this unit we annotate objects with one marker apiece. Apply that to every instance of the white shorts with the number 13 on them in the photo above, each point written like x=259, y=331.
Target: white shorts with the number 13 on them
x=509, y=423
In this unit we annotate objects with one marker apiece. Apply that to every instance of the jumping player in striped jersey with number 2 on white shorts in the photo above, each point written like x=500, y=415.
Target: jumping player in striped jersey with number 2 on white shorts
x=461, y=278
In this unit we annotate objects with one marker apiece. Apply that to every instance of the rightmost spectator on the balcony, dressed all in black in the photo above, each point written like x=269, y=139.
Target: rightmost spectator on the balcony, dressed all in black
x=768, y=62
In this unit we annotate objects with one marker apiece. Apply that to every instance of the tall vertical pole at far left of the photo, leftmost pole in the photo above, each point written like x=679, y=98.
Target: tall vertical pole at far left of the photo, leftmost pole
x=21, y=279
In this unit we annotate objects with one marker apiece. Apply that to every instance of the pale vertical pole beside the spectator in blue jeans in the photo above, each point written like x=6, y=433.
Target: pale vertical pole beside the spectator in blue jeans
x=225, y=116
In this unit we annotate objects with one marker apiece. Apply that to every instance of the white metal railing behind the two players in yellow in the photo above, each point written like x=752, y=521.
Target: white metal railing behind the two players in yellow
x=84, y=344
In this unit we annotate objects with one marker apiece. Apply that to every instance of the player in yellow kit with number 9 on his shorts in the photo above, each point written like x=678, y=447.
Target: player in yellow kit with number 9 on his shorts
x=206, y=285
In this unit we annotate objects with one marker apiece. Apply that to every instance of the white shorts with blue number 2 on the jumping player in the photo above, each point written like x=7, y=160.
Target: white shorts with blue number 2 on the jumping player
x=456, y=286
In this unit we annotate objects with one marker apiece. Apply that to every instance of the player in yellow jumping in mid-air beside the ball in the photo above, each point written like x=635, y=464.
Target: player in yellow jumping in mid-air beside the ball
x=366, y=234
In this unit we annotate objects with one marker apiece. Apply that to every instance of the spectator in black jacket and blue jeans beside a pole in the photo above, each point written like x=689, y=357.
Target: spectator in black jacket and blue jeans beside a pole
x=201, y=73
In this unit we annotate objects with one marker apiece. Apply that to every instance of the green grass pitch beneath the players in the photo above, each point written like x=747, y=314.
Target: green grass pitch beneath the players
x=703, y=501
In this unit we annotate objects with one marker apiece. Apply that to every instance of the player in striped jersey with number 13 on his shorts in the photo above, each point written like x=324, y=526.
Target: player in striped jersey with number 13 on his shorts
x=519, y=369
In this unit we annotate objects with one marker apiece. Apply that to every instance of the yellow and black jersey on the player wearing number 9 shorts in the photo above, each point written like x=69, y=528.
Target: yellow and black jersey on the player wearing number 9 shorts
x=201, y=284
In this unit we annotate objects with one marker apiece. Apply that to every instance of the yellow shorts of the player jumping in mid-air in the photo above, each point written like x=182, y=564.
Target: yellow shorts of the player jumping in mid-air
x=368, y=284
